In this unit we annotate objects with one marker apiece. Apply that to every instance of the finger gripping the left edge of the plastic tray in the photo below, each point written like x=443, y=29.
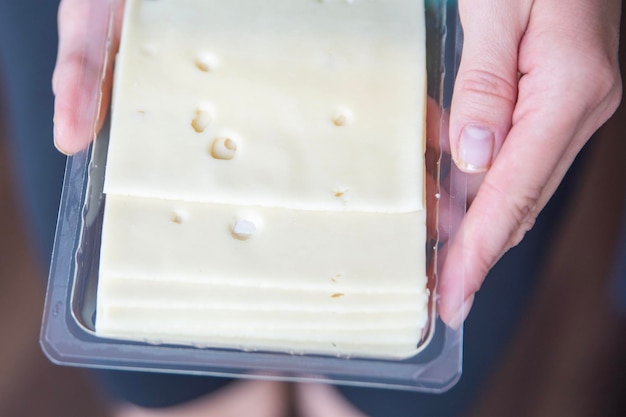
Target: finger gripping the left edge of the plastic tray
x=83, y=62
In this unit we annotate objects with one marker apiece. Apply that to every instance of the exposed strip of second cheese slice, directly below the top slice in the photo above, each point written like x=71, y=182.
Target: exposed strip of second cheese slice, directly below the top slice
x=164, y=239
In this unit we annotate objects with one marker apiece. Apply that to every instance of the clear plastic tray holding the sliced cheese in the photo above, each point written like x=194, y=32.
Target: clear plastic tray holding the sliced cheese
x=68, y=332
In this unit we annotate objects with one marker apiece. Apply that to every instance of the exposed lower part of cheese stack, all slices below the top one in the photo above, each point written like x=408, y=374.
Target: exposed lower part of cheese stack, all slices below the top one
x=328, y=282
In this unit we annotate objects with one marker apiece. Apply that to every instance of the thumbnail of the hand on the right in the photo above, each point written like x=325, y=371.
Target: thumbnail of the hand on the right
x=476, y=148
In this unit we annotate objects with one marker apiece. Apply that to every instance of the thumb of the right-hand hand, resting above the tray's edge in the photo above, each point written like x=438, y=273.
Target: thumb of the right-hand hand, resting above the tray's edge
x=485, y=90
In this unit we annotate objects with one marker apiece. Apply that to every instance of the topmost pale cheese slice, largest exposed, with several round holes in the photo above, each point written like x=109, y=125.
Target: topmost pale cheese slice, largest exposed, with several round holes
x=318, y=98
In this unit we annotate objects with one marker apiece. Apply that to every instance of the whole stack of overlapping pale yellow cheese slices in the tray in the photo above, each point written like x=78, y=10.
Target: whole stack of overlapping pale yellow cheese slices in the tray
x=264, y=180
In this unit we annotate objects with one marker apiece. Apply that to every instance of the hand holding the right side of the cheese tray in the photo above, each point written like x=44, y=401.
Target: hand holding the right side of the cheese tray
x=537, y=78
